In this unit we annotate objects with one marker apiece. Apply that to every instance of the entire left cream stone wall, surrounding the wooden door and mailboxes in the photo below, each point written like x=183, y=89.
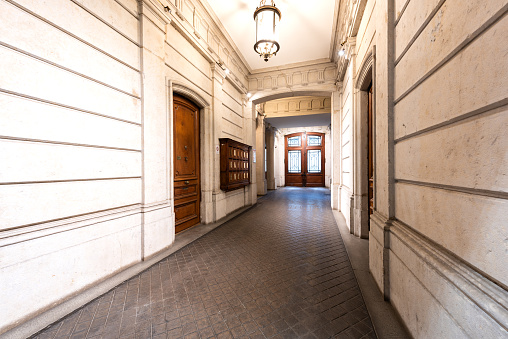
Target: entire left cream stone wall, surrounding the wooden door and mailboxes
x=86, y=138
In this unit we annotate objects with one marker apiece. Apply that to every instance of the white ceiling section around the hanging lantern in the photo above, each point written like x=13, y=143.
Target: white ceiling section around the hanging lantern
x=306, y=29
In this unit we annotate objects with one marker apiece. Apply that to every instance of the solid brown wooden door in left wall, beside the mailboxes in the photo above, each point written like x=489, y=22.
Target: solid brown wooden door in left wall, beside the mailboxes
x=186, y=160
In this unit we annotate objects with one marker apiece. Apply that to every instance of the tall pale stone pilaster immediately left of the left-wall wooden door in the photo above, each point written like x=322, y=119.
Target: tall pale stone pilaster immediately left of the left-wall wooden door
x=157, y=228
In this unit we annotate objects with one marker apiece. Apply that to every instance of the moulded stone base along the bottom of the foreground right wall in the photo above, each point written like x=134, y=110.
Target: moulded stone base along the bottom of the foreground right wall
x=461, y=294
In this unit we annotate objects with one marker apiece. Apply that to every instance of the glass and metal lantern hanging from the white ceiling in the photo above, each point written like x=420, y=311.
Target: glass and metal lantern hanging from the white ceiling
x=267, y=19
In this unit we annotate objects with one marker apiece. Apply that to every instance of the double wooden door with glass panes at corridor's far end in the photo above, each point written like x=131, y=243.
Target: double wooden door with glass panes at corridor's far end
x=305, y=159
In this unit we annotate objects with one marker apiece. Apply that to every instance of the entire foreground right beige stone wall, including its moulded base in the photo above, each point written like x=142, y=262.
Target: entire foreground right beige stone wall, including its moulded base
x=441, y=167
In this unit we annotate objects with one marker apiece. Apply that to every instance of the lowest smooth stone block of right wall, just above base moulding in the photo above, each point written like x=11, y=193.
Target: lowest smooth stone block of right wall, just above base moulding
x=471, y=226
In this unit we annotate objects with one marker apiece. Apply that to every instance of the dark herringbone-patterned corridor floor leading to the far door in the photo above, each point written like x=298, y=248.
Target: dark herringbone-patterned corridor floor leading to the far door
x=279, y=270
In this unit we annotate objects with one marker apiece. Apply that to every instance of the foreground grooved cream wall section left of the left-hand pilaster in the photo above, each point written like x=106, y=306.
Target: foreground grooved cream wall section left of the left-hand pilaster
x=71, y=145
